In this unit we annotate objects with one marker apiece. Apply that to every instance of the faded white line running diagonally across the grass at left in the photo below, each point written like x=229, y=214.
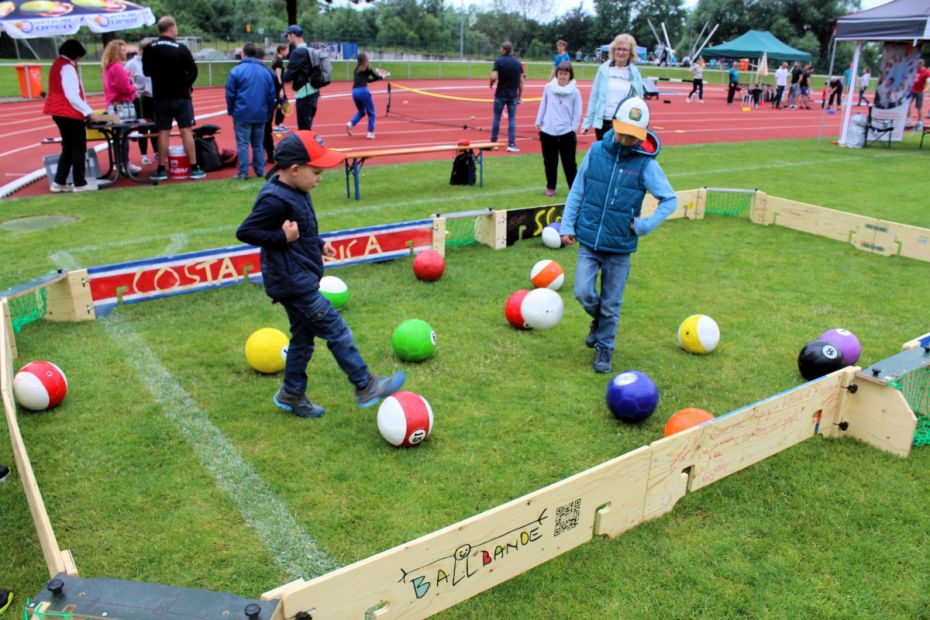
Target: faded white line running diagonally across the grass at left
x=293, y=548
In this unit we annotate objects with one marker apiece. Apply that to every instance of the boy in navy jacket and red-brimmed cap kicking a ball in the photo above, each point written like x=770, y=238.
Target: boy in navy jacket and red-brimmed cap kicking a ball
x=283, y=224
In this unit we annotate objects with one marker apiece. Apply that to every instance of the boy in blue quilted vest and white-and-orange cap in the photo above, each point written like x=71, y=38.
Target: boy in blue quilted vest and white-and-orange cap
x=603, y=213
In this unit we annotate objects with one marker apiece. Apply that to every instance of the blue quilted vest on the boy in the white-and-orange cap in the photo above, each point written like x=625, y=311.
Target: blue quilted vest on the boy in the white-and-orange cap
x=613, y=195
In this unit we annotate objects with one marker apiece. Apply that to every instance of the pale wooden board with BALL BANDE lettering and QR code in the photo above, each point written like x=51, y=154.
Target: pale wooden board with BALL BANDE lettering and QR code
x=434, y=572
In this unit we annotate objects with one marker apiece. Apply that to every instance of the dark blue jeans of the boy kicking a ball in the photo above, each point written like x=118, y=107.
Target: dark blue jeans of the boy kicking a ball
x=312, y=316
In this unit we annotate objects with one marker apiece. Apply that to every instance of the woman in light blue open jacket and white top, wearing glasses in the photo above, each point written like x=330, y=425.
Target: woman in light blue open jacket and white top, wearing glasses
x=616, y=79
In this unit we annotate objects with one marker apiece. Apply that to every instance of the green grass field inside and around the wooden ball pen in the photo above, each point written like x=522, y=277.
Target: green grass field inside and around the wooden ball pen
x=169, y=463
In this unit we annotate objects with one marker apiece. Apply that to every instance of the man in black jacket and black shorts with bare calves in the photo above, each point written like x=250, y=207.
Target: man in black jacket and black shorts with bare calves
x=173, y=72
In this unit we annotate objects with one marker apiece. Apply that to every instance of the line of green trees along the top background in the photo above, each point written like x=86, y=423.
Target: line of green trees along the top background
x=453, y=27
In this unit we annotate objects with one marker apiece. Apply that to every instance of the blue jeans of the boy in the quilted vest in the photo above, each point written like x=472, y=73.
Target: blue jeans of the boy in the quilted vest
x=603, y=307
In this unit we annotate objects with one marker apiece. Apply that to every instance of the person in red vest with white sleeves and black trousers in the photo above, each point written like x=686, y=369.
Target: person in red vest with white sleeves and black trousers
x=67, y=107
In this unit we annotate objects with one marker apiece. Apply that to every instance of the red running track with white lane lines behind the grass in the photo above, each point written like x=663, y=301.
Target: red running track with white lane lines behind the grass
x=438, y=121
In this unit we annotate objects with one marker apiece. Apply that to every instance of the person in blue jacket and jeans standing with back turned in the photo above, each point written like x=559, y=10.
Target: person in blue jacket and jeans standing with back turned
x=250, y=100
